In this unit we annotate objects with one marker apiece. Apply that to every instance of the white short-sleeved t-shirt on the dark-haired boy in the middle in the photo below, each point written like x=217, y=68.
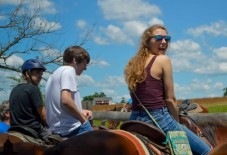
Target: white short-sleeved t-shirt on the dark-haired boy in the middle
x=58, y=117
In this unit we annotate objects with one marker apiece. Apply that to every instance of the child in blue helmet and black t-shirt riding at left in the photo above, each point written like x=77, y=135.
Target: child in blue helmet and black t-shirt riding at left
x=25, y=102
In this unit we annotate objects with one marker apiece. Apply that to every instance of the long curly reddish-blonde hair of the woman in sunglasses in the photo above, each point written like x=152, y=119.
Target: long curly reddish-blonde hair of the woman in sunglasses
x=135, y=69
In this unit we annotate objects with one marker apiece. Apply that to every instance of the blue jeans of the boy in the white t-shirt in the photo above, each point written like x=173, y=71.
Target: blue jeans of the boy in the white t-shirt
x=82, y=129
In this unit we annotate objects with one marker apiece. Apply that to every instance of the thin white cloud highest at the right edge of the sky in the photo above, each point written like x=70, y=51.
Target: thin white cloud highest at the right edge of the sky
x=218, y=28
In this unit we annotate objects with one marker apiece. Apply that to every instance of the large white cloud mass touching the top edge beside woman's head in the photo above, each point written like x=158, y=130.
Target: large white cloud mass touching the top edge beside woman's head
x=130, y=20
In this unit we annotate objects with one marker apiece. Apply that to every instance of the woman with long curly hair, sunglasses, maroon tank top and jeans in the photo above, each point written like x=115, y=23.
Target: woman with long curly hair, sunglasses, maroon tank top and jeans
x=149, y=75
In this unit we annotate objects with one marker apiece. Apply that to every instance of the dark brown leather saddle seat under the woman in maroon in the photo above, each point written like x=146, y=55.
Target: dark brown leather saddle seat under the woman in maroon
x=152, y=132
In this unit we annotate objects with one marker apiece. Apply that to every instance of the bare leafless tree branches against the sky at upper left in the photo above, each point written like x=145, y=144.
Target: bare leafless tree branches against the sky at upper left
x=24, y=32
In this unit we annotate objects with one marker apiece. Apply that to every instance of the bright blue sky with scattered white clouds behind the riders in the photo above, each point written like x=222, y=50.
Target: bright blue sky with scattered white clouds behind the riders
x=198, y=47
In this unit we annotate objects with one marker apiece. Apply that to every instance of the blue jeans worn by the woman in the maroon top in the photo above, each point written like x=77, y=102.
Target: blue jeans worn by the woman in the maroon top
x=167, y=123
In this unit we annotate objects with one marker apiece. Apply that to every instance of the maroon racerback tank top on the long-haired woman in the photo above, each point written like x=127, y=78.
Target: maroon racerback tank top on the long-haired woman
x=150, y=92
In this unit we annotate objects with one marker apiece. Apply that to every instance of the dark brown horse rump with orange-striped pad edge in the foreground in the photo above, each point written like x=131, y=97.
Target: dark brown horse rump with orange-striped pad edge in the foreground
x=100, y=142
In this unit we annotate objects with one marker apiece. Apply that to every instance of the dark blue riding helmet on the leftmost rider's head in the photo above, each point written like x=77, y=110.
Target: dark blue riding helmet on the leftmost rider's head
x=31, y=64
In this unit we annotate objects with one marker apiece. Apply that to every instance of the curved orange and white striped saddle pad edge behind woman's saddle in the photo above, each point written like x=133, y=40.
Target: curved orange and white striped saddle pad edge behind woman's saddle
x=141, y=148
